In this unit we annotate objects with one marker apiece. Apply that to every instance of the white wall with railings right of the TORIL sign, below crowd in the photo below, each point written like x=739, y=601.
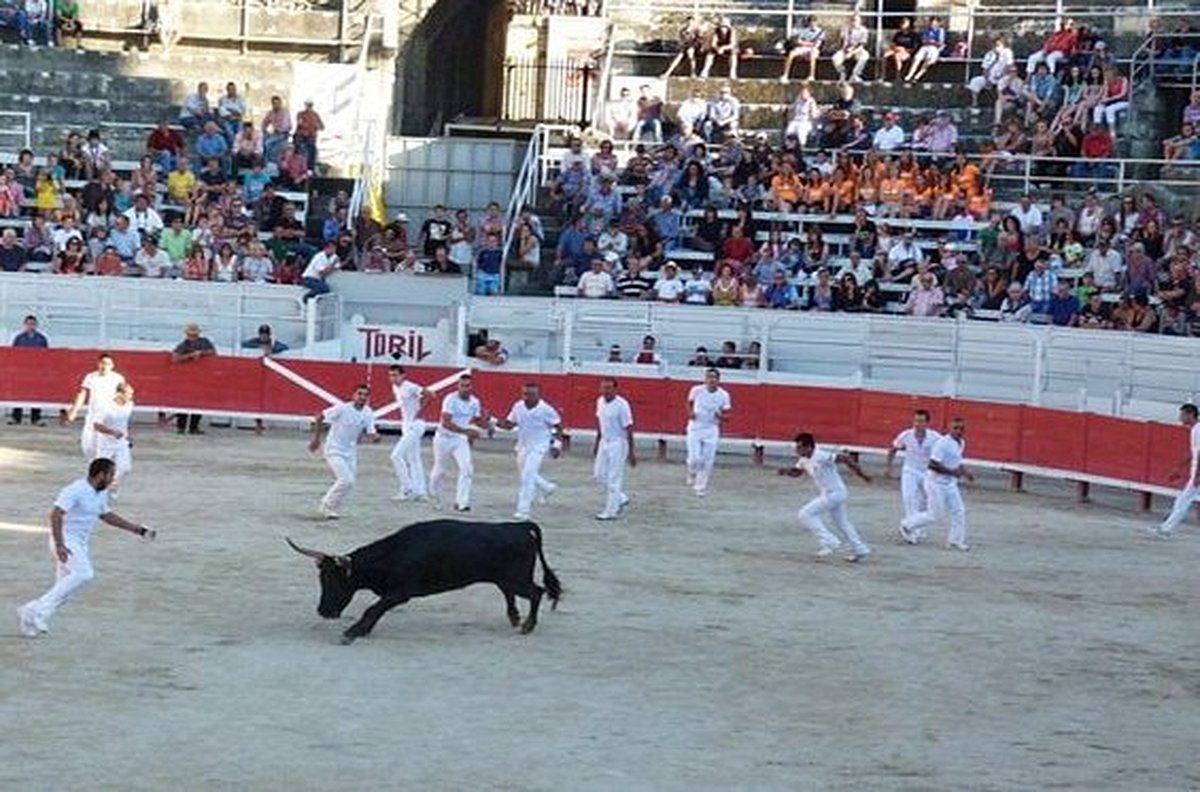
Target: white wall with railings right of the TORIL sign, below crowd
x=1118, y=374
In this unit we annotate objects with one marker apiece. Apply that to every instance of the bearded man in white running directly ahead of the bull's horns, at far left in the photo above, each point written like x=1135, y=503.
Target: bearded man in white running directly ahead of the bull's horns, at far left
x=74, y=518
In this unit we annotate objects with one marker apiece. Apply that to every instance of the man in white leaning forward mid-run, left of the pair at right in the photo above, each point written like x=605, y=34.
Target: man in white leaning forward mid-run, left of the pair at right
x=823, y=466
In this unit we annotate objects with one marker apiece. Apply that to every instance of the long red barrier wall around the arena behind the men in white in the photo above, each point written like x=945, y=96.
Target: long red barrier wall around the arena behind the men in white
x=1137, y=452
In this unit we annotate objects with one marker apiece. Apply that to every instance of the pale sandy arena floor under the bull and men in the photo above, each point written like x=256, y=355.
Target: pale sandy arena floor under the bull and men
x=700, y=645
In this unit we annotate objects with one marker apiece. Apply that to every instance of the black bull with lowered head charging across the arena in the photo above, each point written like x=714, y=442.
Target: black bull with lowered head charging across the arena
x=433, y=557
